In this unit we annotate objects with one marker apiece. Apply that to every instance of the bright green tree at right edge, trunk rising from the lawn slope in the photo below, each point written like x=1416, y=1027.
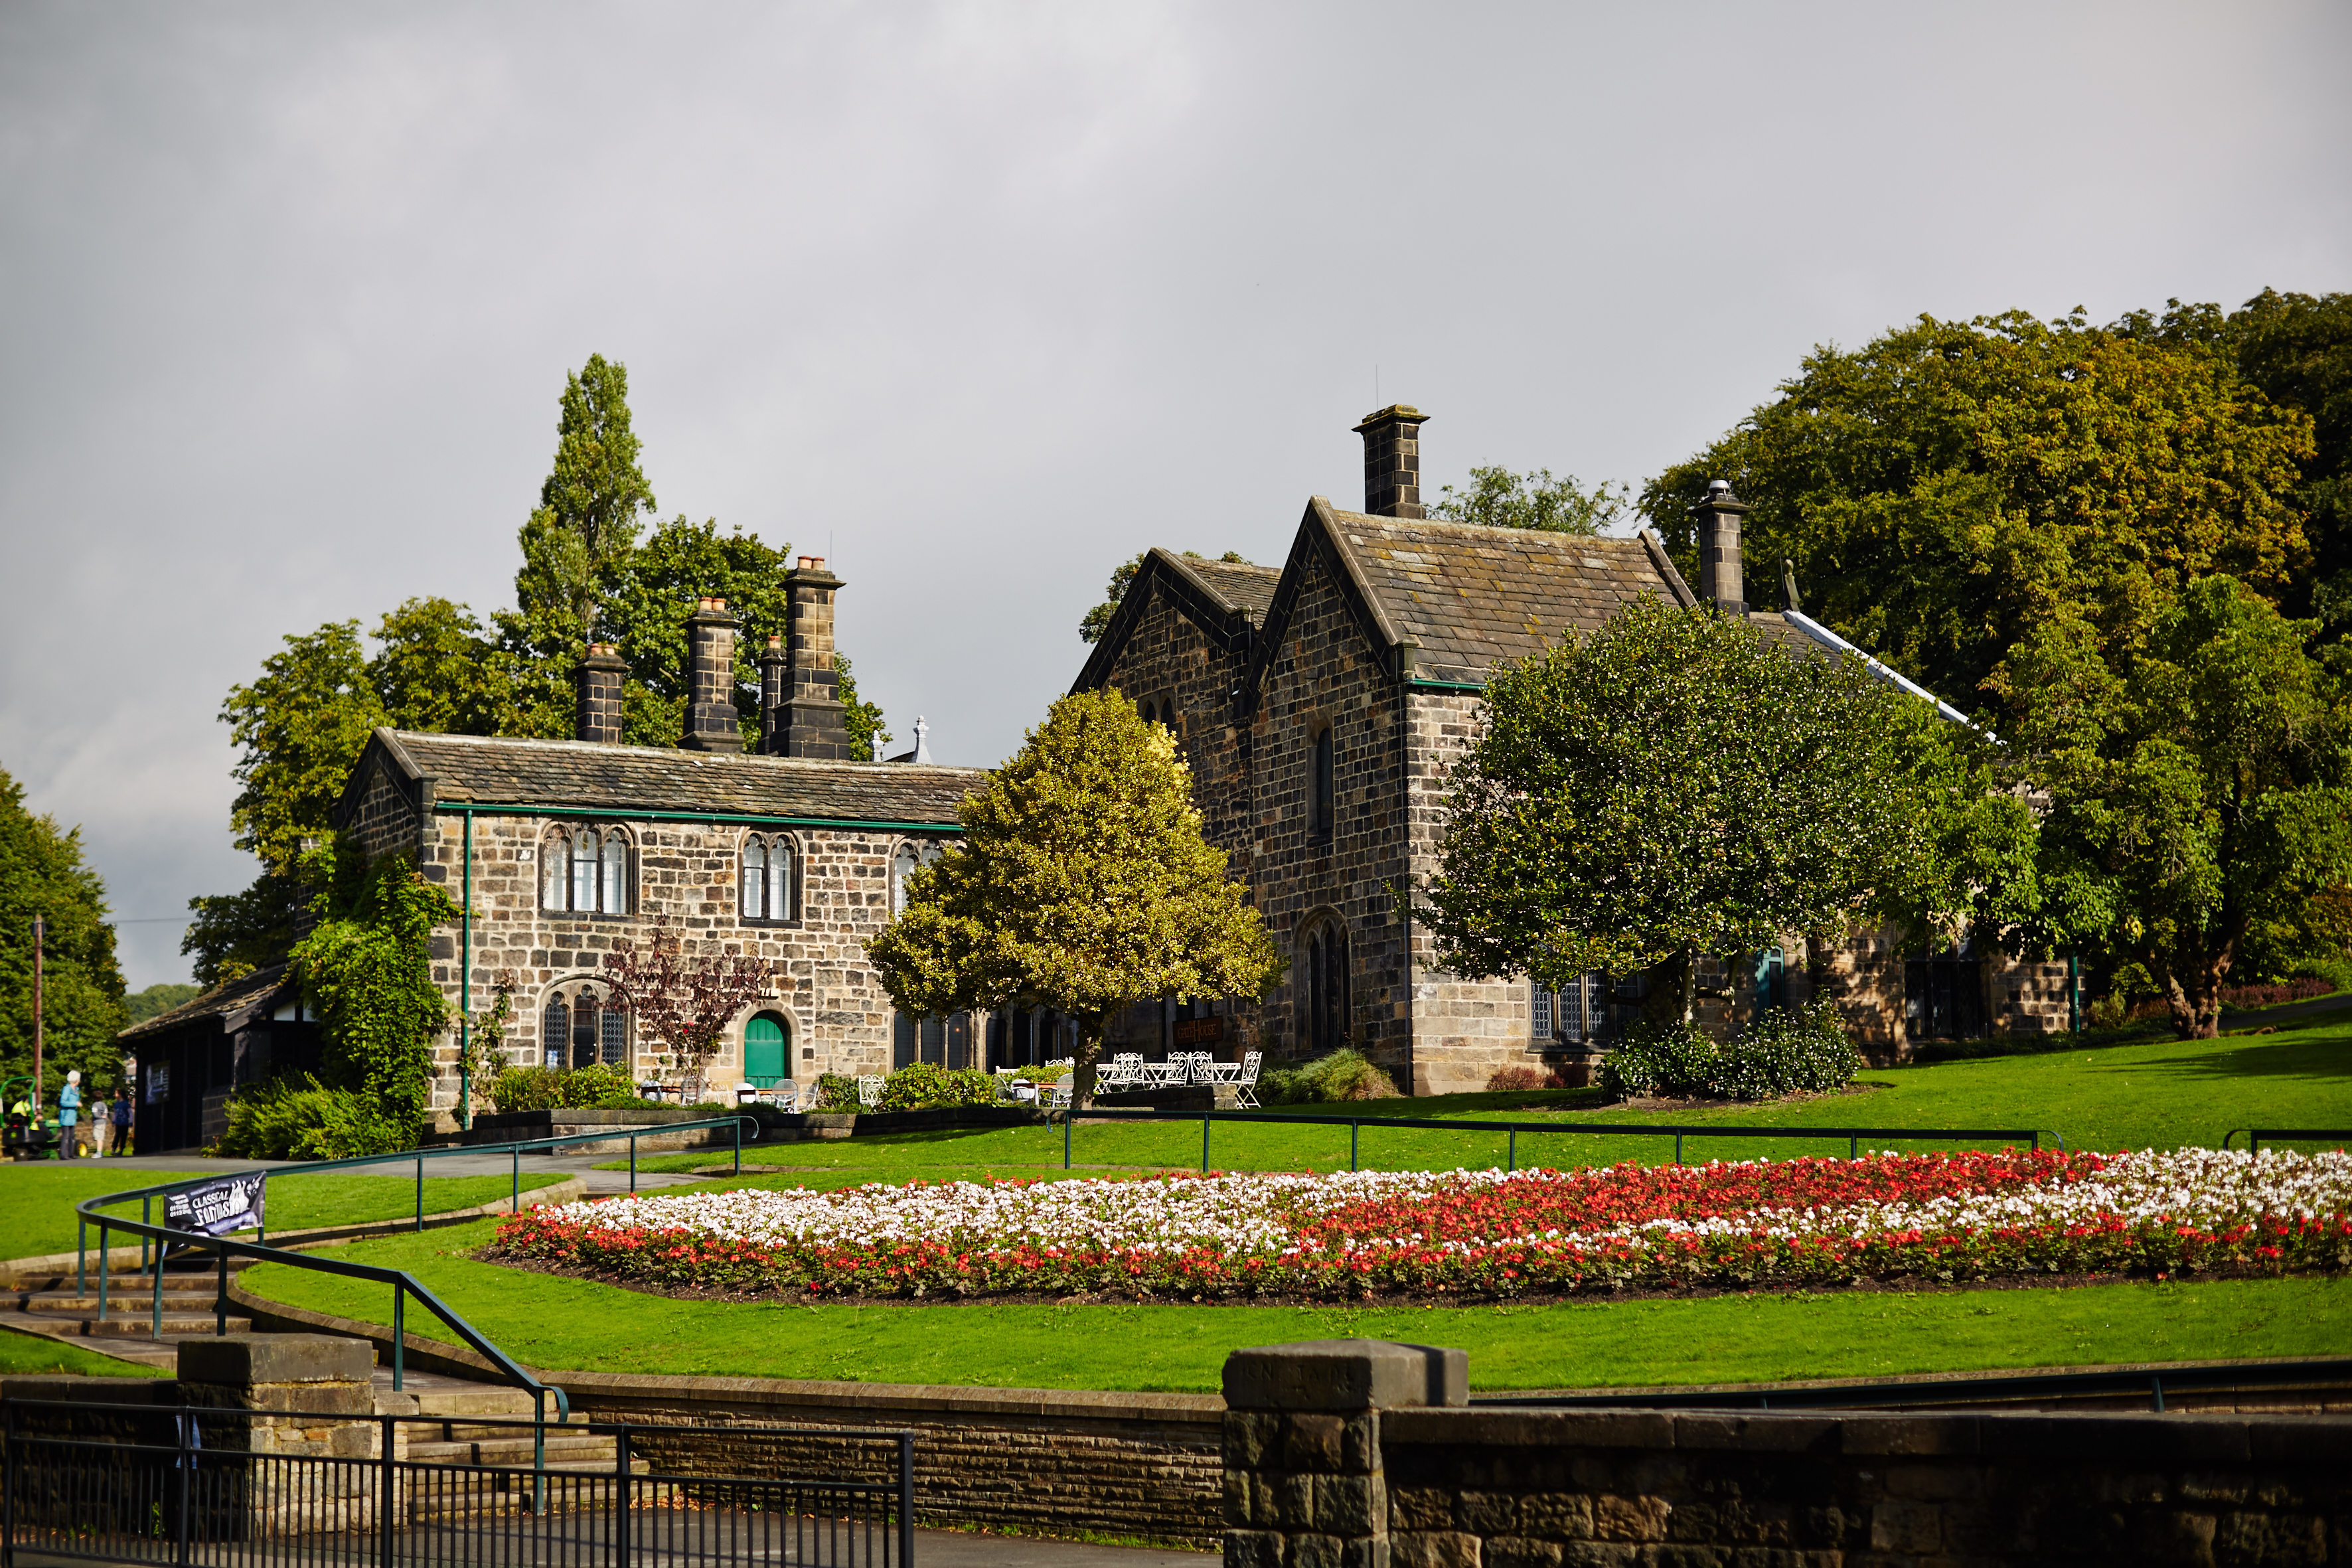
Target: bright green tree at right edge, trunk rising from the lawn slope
x=2198, y=768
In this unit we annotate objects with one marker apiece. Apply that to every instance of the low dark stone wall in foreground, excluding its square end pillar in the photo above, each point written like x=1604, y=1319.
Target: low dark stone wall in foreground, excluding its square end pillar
x=1829, y=1492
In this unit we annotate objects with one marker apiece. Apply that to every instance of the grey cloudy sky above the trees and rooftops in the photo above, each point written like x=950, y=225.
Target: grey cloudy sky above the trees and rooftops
x=980, y=300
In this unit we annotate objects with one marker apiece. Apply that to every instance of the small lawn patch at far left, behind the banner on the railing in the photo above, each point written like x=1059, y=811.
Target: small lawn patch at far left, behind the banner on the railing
x=36, y=1202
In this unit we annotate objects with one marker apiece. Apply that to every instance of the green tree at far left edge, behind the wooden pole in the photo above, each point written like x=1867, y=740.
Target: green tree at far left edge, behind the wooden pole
x=44, y=873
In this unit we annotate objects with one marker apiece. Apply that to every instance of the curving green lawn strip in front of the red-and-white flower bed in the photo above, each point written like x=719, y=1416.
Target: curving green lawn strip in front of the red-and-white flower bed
x=1737, y=1339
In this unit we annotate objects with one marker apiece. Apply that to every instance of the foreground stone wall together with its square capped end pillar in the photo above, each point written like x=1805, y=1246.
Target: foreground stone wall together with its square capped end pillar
x=1351, y=1452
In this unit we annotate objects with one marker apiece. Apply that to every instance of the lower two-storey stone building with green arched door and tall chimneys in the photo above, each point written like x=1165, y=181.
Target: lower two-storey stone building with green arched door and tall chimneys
x=559, y=850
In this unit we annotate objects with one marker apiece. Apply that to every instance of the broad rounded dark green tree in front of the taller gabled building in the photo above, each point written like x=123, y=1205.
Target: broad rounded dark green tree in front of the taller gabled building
x=1673, y=786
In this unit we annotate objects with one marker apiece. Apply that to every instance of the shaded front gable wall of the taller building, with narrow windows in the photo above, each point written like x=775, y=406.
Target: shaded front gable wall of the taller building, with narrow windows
x=1330, y=674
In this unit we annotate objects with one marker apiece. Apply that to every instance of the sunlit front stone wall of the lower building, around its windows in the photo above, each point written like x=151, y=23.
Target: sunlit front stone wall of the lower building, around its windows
x=841, y=1019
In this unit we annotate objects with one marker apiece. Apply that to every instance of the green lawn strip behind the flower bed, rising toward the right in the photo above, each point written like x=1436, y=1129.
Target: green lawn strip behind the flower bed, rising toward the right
x=2156, y=1094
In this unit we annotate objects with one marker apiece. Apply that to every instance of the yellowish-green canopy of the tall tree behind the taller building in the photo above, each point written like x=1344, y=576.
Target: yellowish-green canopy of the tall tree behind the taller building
x=1949, y=483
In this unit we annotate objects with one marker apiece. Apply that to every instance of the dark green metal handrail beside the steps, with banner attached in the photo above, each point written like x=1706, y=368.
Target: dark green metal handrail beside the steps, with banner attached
x=401, y=1280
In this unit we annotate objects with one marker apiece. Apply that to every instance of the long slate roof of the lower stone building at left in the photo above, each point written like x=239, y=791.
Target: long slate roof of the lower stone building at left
x=594, y=777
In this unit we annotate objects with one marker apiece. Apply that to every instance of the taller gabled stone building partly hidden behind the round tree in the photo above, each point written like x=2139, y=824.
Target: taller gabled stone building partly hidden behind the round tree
x=1321, y=706
